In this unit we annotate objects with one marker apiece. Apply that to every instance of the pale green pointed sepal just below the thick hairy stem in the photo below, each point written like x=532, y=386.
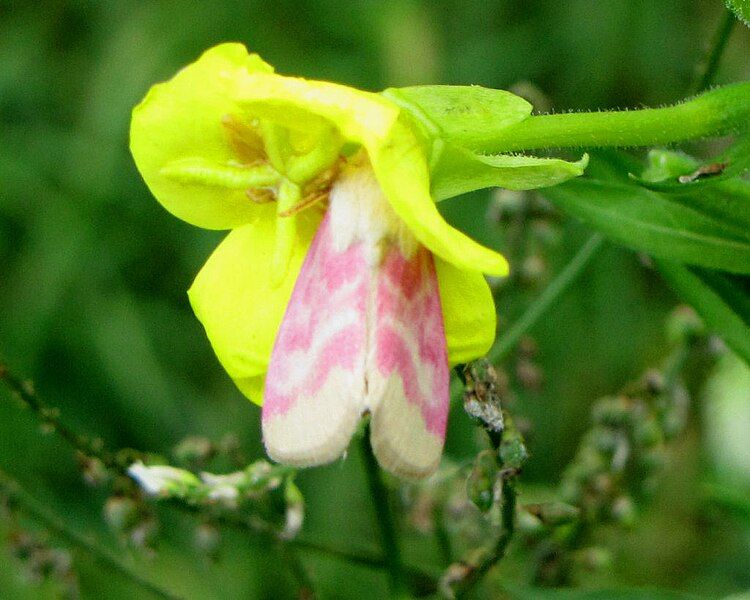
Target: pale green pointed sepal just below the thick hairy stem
x=459, y=171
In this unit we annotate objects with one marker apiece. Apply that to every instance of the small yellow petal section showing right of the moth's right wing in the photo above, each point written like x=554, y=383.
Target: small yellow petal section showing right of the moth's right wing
x=468, y=312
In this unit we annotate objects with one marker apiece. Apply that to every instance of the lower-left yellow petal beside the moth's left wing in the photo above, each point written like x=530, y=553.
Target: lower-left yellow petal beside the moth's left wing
x=235, y=298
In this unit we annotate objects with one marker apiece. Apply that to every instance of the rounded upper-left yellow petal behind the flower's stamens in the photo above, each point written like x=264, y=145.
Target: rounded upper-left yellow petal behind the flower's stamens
x=181, y=120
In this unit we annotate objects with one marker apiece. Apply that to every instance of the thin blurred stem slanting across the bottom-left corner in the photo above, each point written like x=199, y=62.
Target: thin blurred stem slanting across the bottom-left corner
x=57, y=526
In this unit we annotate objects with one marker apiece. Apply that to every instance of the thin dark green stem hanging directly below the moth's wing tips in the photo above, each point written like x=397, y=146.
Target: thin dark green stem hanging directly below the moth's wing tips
x=384, y=518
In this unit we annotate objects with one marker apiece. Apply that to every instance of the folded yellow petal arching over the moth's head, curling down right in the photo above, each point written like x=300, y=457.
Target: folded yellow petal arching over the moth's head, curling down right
x=395, y=151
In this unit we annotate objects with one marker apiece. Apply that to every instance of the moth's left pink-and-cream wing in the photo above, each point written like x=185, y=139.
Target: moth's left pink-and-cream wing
x=315, y=387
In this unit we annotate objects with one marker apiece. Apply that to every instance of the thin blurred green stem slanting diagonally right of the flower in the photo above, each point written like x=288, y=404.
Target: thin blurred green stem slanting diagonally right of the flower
x=551, y=293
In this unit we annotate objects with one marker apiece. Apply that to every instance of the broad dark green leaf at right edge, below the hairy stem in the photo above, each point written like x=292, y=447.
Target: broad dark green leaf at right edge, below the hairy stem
x=654, y=223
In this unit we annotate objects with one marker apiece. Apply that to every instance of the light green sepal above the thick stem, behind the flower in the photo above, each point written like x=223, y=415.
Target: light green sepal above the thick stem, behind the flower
x=469, y=116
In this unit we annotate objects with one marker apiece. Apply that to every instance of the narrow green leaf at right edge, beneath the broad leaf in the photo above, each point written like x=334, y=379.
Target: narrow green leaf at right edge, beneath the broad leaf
x=723, y=301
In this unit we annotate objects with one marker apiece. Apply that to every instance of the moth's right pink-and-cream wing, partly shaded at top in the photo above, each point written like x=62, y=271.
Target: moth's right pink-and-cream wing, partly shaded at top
x=407, y=366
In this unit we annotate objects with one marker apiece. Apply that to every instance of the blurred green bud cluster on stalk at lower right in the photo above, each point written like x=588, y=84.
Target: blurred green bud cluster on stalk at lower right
x=618, y=462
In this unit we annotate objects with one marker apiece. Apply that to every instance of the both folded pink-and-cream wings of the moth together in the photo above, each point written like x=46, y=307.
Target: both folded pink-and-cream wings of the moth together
x=360, y=337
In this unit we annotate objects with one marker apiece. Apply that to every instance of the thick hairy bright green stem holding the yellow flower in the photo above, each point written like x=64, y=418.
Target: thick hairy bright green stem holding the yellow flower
x=722, y=111
